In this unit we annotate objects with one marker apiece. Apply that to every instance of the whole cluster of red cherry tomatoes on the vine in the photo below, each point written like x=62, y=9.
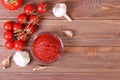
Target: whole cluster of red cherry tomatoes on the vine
x=16, y=33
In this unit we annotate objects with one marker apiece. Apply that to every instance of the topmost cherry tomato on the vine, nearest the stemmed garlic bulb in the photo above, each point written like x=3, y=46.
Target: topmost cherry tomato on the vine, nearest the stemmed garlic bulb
x=42, y=7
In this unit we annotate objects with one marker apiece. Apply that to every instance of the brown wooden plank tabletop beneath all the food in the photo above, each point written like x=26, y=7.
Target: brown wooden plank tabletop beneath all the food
x=92, y=54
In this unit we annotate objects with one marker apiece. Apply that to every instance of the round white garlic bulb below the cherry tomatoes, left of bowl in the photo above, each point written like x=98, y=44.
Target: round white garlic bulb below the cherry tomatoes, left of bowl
x=21, y=58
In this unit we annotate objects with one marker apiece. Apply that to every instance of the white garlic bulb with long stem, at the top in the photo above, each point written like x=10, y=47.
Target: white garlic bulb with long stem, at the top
x=60, y=10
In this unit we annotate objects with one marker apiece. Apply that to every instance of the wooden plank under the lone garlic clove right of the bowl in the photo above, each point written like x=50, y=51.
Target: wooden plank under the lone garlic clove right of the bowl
x=87, y=32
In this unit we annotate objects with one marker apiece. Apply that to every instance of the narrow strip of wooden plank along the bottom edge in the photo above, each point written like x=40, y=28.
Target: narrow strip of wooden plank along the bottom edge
x=60, y=76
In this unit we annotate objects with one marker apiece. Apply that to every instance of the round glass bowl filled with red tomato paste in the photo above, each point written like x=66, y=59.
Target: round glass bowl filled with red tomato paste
x=47, y=47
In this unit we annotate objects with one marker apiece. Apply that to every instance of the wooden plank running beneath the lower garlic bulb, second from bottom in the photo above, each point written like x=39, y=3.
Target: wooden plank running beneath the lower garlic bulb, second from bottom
x=76, y=60
